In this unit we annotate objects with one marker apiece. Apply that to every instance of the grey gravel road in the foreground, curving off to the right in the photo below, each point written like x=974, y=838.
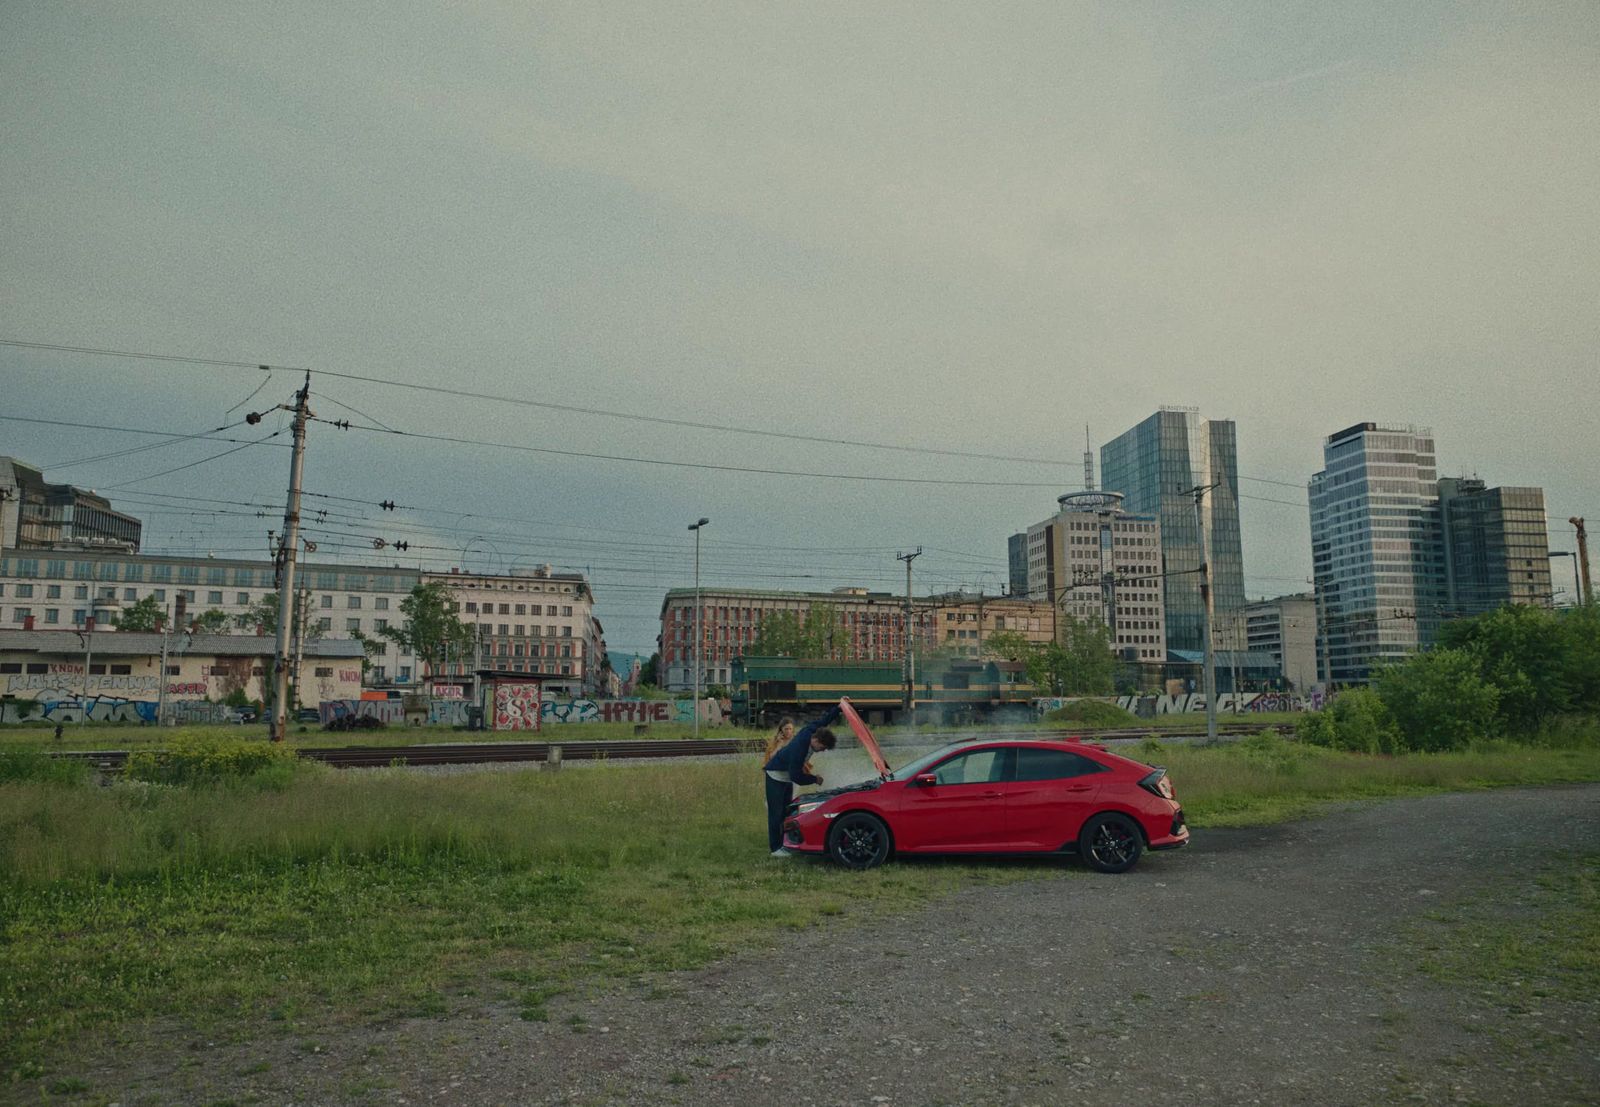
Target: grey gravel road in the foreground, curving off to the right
x=1257, y=967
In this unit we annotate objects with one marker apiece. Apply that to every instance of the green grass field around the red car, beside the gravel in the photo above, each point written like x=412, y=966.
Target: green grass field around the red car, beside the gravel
x=326, y=895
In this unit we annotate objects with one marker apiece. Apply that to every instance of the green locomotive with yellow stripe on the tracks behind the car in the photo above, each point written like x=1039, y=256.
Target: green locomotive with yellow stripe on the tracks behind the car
x=948, y=690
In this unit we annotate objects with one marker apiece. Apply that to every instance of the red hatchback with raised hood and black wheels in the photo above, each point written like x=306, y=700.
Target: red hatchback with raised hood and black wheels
x=1012, y=796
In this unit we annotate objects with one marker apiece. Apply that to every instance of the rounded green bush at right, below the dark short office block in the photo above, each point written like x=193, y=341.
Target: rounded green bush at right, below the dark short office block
x=1441, y=700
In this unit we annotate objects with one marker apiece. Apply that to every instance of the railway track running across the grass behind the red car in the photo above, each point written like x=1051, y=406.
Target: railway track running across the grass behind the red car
x=366, y=757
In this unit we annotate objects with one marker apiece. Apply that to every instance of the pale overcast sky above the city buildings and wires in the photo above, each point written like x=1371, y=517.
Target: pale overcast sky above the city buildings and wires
x=970, y=228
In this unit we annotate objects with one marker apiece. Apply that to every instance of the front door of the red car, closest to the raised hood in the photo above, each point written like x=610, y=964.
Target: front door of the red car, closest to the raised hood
x=962, y=812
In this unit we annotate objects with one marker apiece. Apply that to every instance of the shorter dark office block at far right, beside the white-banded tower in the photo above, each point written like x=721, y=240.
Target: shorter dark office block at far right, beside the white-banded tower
x=1497, y=546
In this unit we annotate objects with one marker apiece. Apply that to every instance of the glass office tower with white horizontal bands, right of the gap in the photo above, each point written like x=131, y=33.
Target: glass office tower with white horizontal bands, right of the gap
x=1377, y=548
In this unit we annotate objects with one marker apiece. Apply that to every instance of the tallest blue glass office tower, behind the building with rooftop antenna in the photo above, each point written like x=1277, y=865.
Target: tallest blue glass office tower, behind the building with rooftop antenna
x=1154, y=466
